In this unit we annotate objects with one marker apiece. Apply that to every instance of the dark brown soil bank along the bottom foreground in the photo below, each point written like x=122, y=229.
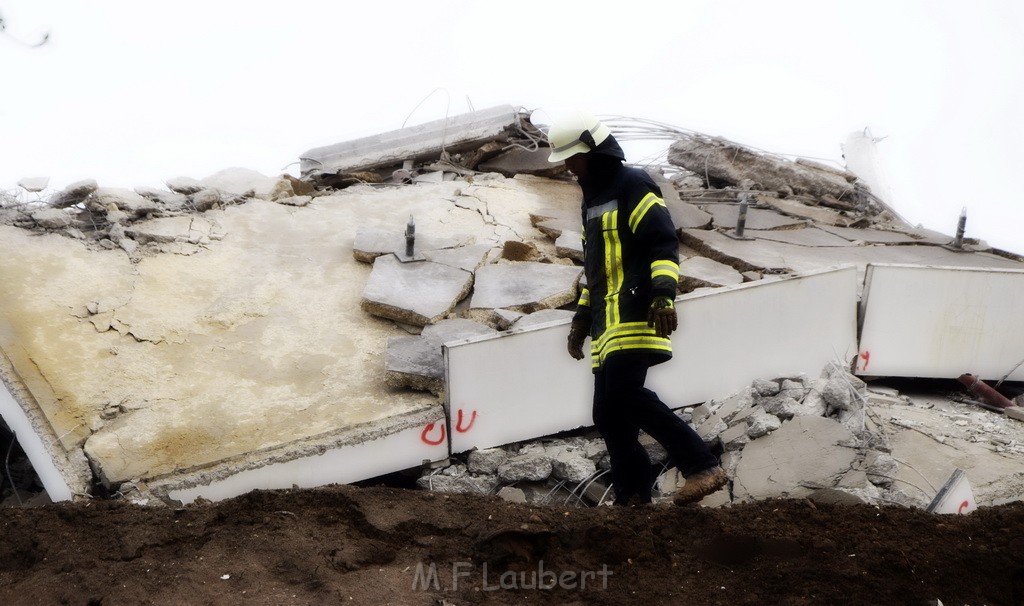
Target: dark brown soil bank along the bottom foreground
x=394, y=546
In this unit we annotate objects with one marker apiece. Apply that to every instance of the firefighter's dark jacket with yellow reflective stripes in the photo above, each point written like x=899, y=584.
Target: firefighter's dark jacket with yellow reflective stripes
x=631, y=255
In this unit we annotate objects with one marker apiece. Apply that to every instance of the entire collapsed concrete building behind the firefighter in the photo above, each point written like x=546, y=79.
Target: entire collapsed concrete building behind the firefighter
x=404, y=306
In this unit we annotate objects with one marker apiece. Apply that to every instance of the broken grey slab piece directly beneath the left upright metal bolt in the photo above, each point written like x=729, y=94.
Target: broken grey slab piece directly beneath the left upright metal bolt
x=418, y=294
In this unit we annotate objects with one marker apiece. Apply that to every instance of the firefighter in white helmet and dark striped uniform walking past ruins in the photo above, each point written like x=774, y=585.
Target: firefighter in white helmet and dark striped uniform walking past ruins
x=627, y=308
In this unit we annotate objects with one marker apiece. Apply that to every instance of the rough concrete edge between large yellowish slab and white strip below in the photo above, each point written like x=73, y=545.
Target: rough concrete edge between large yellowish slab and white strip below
x=162, y=487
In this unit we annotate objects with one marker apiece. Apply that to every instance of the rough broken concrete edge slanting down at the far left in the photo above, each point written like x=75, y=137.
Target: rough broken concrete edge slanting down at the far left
x=65, y=473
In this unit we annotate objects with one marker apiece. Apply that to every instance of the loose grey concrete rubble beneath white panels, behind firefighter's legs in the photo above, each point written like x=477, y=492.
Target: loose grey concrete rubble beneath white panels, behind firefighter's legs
x=830, y=440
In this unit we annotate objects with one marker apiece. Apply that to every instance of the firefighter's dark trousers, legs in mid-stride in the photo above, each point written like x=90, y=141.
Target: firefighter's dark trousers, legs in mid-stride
x=622, y=408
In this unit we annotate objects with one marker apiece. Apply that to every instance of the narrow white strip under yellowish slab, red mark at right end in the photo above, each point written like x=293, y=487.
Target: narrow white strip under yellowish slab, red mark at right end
x=403, y=450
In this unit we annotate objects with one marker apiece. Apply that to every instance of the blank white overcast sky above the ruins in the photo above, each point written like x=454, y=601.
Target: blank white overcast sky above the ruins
x=134, y=94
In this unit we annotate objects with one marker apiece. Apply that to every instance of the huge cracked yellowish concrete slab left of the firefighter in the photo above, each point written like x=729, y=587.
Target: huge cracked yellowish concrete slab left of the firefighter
x=191, y=369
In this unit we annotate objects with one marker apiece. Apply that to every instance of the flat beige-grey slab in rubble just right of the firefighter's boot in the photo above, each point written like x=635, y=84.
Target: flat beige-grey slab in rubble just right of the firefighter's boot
x=793, y=461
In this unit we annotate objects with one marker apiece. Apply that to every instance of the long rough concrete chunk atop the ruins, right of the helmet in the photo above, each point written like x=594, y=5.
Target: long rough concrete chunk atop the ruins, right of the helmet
x=733, y=164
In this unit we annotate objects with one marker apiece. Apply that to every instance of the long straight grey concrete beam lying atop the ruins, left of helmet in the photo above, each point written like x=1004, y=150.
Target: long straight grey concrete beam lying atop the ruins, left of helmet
x=425, y=142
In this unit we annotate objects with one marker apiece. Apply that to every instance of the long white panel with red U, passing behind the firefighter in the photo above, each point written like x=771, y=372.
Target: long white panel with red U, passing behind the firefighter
x=510, y=388
